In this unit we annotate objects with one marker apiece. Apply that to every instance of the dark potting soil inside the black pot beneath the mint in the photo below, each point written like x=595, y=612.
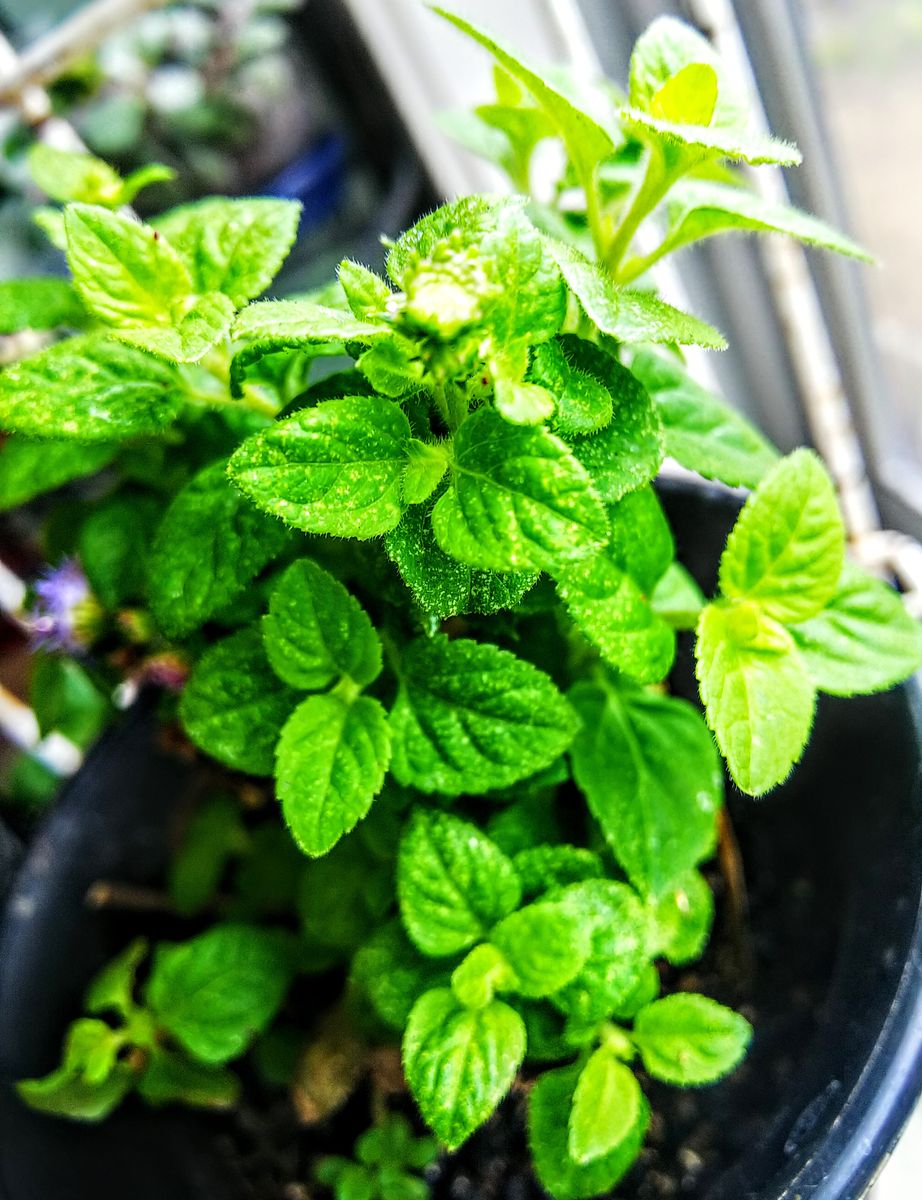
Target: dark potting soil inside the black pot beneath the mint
x=776, y=971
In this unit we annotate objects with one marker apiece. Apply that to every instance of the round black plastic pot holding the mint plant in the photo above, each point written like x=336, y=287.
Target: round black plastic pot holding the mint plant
x=835, y=867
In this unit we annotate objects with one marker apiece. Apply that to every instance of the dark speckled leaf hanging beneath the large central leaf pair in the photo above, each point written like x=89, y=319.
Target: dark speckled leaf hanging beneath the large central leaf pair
x=440, y=584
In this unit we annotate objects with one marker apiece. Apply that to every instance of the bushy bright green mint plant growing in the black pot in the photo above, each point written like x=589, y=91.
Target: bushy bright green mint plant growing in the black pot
x=429, y=603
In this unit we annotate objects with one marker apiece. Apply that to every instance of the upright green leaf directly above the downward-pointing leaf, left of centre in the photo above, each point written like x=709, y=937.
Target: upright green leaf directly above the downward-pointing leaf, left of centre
x=316, y=632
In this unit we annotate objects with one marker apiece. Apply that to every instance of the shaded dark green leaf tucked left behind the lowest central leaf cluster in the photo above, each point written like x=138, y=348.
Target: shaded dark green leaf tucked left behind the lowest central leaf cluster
x=394, y=975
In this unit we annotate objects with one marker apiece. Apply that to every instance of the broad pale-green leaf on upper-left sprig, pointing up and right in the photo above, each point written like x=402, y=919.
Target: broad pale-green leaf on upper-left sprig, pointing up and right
x=236, y=247
